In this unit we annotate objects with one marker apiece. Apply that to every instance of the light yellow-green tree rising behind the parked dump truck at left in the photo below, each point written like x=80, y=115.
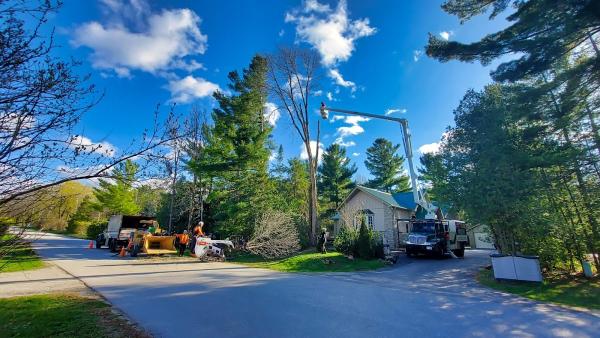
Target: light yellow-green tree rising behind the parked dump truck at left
x=118, y=196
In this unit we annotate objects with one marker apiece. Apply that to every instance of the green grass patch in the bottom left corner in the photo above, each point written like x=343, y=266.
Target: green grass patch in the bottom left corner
x=61, y=315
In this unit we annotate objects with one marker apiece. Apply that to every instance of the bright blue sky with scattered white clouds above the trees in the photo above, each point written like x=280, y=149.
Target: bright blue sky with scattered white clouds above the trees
x=142, y=53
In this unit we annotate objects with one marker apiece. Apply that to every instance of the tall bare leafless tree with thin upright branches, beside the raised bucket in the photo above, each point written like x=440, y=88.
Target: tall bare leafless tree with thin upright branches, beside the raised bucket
x=293, y=74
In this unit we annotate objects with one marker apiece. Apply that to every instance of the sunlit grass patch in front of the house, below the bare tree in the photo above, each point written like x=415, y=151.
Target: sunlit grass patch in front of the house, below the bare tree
x=309, y=261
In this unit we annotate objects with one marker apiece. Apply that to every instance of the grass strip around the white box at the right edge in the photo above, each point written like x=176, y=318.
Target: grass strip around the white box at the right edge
x=579, y=292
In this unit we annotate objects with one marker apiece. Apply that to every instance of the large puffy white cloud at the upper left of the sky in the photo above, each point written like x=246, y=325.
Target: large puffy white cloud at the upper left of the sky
x=156, y=41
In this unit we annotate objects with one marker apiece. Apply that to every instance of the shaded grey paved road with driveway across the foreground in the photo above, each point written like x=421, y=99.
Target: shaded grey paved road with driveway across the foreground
x=415, y=298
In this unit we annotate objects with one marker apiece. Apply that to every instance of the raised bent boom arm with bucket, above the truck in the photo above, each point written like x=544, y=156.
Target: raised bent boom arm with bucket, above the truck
x=418, y=196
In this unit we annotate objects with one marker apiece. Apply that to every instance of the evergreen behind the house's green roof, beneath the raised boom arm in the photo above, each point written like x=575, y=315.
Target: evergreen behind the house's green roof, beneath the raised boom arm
x=386, y=166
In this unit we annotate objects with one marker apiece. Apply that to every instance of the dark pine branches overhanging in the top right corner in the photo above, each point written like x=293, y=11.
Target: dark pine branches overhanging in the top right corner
x=540, y=32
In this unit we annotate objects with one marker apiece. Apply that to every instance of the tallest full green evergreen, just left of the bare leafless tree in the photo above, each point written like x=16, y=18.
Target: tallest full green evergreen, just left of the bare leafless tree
x=237, y=151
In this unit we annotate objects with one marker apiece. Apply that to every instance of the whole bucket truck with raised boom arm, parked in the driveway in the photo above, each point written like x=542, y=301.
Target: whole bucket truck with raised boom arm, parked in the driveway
x=432, y=234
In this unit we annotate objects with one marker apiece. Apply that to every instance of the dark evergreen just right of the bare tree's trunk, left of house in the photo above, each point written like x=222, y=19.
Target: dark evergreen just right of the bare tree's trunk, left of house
x=335, y=176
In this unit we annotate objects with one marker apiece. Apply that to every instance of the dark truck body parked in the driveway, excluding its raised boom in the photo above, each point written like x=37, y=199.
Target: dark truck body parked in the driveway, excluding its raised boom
x=436, y=237
